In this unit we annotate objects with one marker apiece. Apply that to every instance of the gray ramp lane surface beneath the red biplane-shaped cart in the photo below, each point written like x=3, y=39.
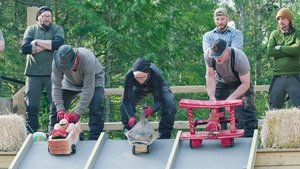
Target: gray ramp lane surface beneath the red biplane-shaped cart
x=211, y=155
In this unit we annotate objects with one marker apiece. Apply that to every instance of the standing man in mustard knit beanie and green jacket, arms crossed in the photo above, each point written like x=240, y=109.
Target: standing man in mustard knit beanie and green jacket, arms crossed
x=284, y=48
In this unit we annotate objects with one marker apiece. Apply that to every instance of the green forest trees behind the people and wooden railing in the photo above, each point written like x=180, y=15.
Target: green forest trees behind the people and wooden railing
x=167, y=32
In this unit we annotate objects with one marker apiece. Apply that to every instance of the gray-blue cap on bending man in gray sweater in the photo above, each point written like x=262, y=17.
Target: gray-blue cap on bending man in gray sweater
x=65, y=57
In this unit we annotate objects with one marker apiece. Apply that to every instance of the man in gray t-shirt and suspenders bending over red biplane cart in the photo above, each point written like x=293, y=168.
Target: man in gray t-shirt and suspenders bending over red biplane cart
x=228, y=78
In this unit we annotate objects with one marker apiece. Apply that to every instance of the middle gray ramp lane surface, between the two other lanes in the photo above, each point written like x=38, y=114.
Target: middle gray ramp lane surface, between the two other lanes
x=117, y=154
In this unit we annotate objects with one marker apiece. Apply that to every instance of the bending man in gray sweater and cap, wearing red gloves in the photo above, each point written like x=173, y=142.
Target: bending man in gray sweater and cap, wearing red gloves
x=77, y=71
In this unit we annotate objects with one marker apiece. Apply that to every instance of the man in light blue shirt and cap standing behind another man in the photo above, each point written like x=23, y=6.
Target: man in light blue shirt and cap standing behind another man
x=233, y=37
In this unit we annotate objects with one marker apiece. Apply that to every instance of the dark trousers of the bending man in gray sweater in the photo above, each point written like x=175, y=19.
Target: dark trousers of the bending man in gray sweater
x=96, y=111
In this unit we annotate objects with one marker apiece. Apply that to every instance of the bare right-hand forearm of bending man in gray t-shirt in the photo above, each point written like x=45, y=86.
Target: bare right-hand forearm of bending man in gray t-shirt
x=245, y=84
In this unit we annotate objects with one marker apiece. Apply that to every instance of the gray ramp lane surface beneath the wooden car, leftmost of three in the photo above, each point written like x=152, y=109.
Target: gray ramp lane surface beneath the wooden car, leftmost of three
x=39, y=158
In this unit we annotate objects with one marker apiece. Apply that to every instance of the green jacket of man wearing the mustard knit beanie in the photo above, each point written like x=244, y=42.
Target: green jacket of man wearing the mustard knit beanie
x=287, y=58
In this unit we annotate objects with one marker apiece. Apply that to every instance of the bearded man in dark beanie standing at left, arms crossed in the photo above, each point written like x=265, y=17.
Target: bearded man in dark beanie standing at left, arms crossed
x=39, y=43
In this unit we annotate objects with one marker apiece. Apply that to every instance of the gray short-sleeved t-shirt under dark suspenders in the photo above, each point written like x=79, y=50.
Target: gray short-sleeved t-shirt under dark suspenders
x=241, y=66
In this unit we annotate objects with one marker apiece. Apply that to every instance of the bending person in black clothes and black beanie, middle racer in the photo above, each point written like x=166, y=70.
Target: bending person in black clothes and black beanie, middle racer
x=144, y=79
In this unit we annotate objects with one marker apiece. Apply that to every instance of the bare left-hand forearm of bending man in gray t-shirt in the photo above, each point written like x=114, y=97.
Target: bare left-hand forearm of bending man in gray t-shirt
x=210, y=83
